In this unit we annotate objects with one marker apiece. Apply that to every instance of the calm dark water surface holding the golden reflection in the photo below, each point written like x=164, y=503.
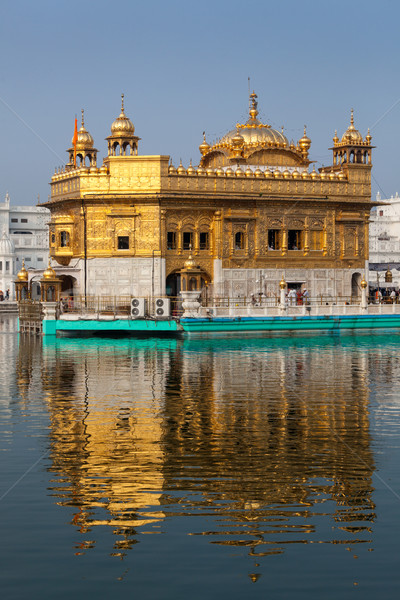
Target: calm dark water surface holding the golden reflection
x=257, y=468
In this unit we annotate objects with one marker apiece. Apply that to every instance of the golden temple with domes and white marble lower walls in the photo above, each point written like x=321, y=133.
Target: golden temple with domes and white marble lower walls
x=251, y=210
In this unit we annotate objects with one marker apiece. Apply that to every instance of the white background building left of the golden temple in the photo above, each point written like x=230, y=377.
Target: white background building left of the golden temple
x=24, y=236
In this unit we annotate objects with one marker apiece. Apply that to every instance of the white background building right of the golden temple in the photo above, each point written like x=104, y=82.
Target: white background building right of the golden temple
x=384, y=240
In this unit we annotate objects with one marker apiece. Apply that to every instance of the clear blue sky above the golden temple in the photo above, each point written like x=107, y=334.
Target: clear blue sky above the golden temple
x=184, y=68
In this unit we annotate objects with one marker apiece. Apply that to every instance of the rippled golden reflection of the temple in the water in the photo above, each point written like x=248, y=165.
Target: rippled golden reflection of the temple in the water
x=268, y=439
